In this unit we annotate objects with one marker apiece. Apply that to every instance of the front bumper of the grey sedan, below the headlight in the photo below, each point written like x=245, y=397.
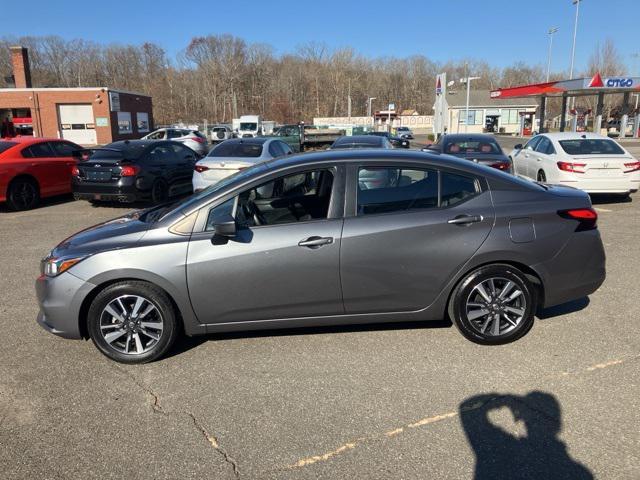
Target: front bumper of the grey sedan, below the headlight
x=60, y=299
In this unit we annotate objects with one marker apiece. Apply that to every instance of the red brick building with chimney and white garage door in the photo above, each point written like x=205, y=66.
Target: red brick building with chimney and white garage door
x=87, y=116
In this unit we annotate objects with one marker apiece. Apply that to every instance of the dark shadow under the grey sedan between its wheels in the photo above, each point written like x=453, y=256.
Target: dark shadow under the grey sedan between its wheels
x=186, y=343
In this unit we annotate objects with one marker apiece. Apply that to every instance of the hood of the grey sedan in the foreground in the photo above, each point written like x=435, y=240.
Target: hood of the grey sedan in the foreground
x=121, y=232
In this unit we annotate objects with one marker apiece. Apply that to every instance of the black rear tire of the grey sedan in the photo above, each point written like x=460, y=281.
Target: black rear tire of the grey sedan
x=466, y=301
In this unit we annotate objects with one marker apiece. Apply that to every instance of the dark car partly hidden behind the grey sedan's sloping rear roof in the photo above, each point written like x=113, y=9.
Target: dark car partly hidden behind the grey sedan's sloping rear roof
x=477, y=147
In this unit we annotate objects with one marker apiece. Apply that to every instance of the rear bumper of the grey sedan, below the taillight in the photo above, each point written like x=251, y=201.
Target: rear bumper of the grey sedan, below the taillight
x=578, y=269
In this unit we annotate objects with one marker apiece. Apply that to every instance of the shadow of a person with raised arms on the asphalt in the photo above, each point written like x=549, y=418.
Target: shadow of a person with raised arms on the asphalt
x=538, y=454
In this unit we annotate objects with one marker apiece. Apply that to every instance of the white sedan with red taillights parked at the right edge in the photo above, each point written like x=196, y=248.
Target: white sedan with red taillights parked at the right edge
x=588, y=161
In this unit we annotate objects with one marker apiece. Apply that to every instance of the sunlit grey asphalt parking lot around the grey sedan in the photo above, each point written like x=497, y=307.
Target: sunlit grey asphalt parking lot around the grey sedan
x=391, y=401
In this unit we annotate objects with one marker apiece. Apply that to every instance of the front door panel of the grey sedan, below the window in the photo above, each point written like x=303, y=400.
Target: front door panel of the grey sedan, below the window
x=264, y=273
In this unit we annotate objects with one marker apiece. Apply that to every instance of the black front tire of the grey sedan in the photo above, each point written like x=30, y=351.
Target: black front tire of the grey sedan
x=100, y=321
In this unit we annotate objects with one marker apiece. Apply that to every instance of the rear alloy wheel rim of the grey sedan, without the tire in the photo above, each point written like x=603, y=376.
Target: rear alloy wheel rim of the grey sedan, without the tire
x=495, y=306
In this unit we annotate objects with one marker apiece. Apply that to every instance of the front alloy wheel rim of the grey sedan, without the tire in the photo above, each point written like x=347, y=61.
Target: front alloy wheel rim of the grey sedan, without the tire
x=131, y=324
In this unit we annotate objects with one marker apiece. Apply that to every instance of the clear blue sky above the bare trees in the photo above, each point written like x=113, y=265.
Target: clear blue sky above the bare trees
x=498, y=31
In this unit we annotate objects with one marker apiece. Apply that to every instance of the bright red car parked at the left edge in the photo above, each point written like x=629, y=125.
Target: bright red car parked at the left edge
x=34, y=168
